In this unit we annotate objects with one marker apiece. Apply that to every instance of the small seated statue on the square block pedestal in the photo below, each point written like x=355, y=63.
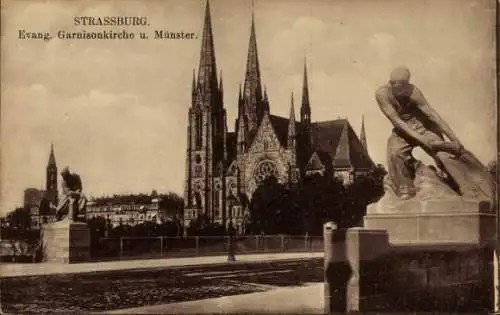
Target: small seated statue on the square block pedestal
x=72, y=201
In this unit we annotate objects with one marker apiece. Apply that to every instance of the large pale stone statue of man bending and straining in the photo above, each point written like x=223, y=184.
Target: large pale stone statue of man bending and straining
x=417, y=124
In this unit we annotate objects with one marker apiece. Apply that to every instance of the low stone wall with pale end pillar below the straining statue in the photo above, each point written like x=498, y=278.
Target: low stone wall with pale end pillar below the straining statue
x=364, y=272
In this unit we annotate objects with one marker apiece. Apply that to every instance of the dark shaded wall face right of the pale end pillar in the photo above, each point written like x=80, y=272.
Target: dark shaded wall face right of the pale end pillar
x=454, y=279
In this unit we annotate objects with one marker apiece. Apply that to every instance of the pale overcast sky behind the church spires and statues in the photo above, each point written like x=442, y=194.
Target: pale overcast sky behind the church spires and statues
x=117, y=110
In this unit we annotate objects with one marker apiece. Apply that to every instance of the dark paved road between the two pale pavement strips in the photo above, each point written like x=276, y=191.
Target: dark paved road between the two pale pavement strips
x=121, y=289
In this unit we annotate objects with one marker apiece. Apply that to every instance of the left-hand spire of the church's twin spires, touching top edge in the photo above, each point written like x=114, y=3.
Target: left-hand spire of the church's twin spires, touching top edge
x=207, y=73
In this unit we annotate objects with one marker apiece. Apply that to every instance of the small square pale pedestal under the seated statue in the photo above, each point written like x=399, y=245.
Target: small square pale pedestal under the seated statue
x=66, y=242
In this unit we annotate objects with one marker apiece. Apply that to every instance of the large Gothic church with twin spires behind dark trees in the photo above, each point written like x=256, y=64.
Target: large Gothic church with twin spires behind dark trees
x=224, y=168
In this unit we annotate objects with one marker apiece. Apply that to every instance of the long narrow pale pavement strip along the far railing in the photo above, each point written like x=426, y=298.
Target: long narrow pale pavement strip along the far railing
x=22, y=270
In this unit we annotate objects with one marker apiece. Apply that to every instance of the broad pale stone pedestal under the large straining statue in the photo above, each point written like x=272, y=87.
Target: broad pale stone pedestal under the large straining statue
x=447, y=221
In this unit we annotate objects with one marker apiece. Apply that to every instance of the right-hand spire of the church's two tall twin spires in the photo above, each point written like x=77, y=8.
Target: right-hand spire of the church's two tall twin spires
x=252, y=90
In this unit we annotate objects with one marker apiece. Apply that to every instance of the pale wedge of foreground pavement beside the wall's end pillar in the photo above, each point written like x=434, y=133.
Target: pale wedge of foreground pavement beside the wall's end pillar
x=306, y=299
